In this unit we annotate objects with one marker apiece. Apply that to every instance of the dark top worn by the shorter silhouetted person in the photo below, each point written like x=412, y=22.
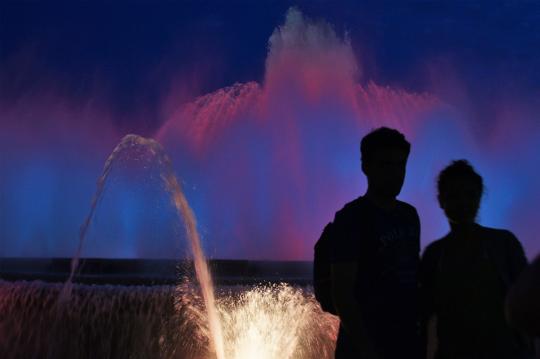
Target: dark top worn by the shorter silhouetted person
x=465, y=282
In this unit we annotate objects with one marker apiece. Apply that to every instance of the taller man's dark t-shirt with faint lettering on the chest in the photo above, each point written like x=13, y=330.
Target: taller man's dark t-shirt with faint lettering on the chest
x=386, y=246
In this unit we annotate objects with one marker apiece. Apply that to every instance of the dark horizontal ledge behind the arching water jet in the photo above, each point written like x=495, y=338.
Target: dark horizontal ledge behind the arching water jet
x=154, y=271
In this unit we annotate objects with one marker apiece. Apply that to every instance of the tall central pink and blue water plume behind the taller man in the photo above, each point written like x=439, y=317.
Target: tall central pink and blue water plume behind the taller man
x=285, y=148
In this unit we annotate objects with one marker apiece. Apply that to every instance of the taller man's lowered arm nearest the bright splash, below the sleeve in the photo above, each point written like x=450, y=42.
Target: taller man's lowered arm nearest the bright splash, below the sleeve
x=344, y=276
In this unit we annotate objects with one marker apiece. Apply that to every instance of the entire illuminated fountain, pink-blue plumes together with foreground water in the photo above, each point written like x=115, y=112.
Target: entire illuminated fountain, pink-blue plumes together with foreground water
x=295, y=135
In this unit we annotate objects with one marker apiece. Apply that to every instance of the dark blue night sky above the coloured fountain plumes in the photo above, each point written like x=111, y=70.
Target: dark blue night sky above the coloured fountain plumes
x=131, y=52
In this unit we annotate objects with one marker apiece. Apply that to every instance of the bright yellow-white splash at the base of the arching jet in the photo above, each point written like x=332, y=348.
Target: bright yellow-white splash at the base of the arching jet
x=276, y=321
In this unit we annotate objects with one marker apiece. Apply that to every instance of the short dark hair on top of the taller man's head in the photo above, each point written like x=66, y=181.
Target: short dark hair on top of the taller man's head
x=381, y=138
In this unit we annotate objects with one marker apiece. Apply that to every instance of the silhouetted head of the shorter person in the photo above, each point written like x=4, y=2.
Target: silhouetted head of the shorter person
x=460, y=190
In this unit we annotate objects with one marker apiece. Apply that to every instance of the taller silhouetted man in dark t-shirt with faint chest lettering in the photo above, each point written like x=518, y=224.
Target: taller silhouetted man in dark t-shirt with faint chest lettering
x=375, y=254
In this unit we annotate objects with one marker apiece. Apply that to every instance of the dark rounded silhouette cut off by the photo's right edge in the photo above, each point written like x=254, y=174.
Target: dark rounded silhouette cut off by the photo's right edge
x=523, y=300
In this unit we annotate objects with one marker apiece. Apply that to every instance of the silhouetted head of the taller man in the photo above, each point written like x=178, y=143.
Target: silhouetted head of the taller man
x=384, y=159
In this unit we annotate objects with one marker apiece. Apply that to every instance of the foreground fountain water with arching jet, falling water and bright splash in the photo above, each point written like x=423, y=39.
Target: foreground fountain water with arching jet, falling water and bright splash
x=183, y=321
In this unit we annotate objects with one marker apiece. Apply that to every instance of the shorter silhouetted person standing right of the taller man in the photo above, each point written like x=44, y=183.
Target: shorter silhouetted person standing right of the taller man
x=464, y=277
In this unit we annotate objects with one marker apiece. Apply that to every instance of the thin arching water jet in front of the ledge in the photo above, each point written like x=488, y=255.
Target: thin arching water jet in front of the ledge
x=184, y=211
